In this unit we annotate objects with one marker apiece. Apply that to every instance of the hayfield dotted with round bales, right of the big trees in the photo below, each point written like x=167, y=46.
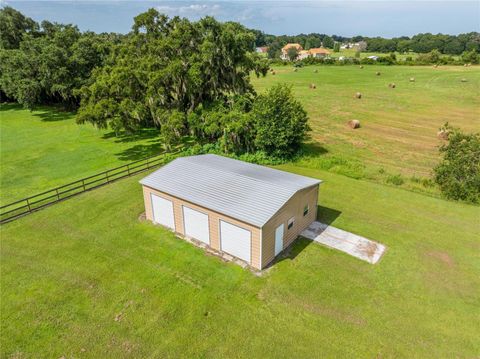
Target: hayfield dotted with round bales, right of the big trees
x=398, y=126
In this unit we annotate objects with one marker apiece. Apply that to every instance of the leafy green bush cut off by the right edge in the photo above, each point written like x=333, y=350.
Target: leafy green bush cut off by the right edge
x=458, y=174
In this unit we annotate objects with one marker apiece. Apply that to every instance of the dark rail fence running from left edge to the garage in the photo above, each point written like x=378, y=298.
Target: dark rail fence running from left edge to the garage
x=14, y=210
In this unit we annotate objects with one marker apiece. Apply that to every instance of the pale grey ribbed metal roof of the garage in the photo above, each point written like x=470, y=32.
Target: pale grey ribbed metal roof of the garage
x=241, y=190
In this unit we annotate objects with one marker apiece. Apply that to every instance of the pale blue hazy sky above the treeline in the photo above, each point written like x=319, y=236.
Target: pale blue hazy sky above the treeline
x=387, y=18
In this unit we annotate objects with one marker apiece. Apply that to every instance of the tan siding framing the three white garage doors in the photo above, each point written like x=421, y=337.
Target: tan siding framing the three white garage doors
x=213, y=222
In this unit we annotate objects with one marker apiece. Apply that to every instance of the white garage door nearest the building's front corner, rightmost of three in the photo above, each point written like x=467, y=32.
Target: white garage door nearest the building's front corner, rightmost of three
x=235, y=240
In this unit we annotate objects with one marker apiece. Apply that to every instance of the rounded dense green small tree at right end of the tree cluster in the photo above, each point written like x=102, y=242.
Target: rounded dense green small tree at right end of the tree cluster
x=280, y=122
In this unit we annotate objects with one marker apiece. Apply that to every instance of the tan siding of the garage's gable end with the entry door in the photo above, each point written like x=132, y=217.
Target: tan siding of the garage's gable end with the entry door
x=293, y=208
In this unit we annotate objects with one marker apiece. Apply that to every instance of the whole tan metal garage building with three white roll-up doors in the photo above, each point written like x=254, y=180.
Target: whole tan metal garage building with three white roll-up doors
x=249, y=211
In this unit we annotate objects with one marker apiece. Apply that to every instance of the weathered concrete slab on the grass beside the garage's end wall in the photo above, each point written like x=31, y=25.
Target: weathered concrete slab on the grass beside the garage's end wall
x=357, y=246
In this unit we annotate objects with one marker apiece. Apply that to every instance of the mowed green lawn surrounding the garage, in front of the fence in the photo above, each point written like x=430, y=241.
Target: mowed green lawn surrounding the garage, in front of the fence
x=68, y=271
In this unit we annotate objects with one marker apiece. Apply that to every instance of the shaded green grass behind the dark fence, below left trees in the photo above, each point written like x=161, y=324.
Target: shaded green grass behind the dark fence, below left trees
x=46, y=148
